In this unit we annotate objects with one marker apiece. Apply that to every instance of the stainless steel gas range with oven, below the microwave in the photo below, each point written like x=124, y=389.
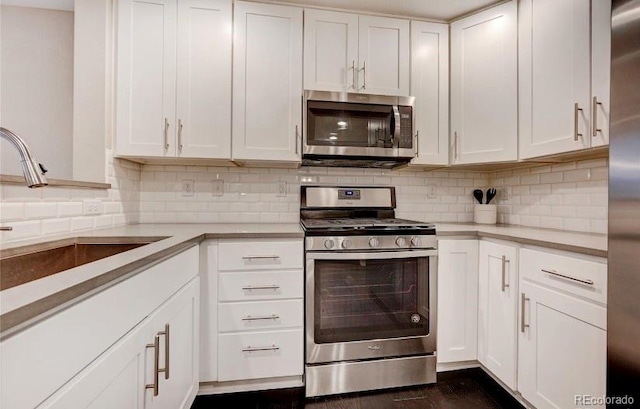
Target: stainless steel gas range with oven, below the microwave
x=370, y=290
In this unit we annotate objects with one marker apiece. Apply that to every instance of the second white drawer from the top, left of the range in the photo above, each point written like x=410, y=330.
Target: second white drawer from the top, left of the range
x=263, y=285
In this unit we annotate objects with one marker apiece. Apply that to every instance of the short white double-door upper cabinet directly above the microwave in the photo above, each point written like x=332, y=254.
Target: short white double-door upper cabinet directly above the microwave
x=349, y=53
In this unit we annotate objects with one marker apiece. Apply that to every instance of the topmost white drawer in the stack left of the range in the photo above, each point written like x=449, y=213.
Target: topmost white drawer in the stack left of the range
x=260, y=255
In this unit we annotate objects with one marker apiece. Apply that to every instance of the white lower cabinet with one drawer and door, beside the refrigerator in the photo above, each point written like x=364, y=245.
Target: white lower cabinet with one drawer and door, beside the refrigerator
x=562, y=331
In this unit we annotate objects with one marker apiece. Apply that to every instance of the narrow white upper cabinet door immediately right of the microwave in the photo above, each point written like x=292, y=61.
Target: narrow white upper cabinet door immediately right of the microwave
x=430, y=87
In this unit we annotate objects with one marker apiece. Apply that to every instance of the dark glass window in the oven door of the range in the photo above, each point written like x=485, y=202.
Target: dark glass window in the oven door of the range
x=370, y=299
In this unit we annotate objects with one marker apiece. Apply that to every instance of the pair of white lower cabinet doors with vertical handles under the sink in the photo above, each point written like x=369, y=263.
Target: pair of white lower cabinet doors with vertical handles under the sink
x=155, y=365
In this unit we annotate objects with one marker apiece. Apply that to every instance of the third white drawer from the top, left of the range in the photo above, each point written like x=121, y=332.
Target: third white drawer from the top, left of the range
x=260, y=315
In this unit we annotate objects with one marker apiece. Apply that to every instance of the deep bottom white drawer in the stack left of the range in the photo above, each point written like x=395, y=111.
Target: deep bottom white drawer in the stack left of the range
x=260, y=355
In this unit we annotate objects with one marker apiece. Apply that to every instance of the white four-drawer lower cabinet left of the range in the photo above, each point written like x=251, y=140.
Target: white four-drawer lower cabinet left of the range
x=256, y=337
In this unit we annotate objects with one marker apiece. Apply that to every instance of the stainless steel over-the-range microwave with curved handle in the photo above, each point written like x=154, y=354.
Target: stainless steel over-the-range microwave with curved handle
x=344, y=129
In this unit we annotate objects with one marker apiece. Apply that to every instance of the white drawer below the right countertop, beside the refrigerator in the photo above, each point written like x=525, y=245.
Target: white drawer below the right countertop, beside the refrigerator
x=577, y=276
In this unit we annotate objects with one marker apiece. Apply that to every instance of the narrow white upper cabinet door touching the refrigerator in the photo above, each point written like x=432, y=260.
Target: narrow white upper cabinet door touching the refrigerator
x=600, y=71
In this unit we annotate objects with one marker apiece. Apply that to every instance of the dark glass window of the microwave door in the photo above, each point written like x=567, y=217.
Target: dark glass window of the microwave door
x=349, y=124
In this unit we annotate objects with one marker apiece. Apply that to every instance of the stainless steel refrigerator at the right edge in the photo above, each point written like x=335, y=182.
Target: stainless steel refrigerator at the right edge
x=623, y=305
